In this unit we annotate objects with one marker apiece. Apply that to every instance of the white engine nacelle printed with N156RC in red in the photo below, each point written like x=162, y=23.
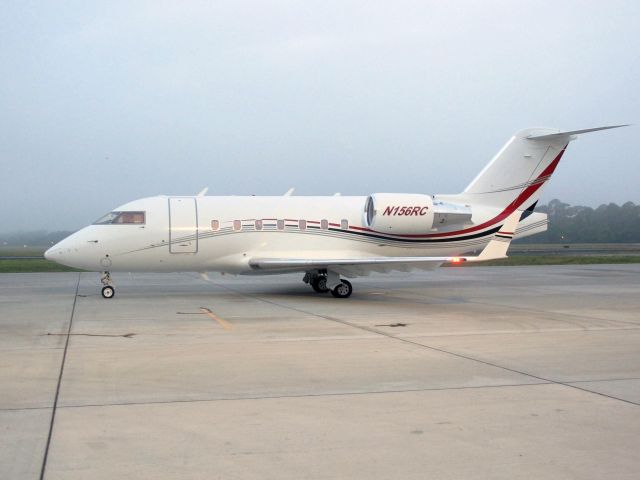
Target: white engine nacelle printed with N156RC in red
x=407, y=214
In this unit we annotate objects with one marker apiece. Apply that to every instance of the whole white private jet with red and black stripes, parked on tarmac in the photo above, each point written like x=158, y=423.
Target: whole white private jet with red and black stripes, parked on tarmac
x=326, y=238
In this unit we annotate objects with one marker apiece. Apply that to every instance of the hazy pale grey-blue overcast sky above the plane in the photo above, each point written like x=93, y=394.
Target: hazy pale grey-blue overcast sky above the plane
x=103, y=103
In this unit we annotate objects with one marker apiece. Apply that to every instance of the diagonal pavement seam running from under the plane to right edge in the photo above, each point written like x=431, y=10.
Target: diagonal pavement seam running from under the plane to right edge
x=430, y=347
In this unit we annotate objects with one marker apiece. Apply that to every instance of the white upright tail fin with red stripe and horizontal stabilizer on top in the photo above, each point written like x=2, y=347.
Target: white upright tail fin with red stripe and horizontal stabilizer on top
x=521, y=167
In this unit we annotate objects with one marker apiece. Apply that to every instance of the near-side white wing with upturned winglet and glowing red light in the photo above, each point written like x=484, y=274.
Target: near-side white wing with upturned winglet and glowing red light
x=359, y=266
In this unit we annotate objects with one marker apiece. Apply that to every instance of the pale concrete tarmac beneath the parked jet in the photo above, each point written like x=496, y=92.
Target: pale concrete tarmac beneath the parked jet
x=496, y=373
